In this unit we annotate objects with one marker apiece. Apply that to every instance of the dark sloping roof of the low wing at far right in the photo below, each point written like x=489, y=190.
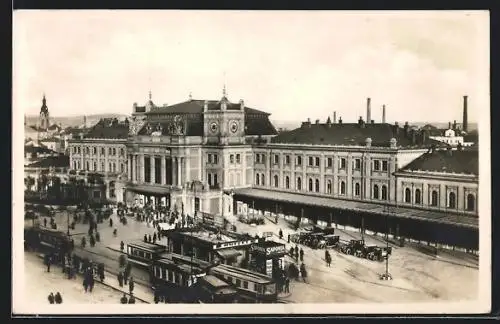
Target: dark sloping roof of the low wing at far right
x=465, y=161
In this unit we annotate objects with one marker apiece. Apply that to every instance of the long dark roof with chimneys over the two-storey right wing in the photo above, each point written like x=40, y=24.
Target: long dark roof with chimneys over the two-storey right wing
x=351, y=134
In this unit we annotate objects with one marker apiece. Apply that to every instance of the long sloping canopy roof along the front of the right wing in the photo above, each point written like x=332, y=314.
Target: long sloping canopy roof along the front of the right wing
x=367, y=207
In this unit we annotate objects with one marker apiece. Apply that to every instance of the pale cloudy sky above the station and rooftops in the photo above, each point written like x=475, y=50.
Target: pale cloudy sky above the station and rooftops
x=293, y=65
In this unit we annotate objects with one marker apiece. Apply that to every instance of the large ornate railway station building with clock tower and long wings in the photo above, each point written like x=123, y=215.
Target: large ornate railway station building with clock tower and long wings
x=221, y=157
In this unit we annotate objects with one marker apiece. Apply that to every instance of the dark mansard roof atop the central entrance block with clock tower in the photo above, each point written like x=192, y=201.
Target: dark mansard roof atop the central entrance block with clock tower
x=256, y=121
